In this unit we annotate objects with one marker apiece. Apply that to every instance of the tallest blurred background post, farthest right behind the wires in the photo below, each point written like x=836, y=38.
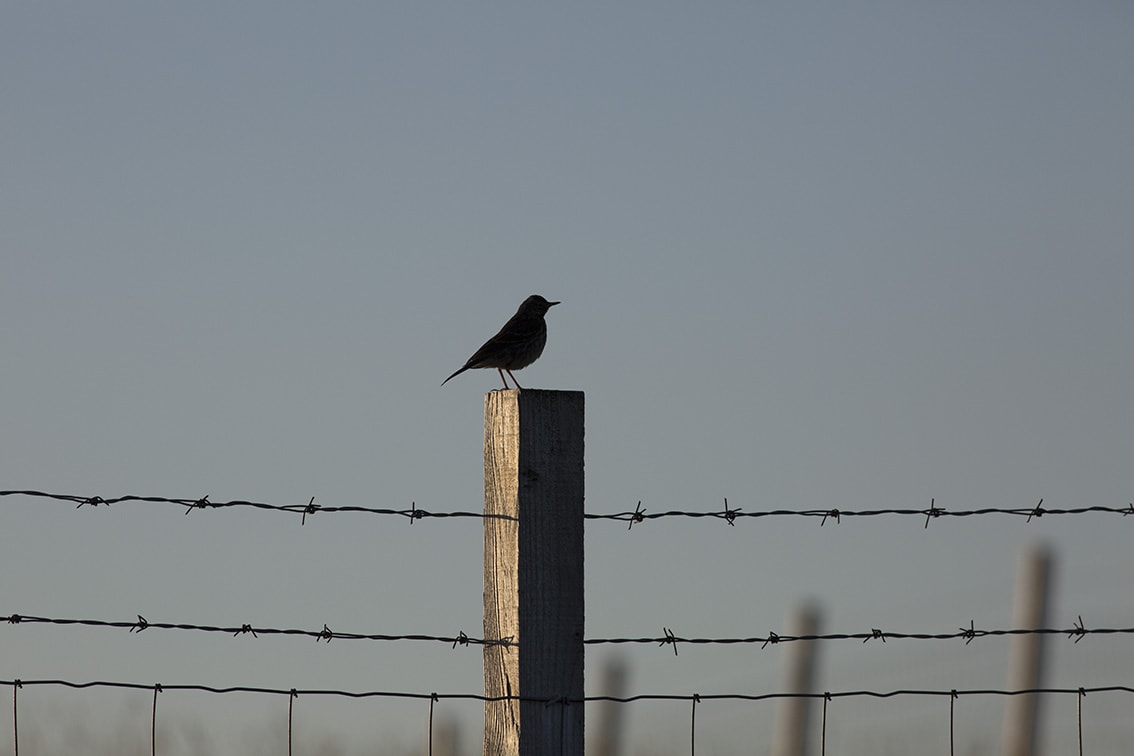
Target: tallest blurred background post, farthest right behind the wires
x=1027, y=661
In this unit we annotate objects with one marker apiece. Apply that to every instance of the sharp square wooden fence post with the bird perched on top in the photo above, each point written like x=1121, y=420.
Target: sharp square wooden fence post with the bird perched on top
x=534, y=572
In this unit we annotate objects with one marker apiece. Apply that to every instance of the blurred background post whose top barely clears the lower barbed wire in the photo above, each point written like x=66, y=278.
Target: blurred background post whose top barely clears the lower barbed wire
x=793, y=720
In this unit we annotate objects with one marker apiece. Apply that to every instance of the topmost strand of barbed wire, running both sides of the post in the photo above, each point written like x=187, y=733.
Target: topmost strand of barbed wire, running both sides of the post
x=640, y=515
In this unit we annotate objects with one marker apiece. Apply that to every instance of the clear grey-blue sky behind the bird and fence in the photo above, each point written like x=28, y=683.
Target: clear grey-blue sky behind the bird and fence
x=810, y=256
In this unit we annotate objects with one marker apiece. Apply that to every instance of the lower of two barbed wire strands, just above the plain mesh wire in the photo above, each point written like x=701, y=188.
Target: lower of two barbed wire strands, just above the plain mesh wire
x=668, y=639
